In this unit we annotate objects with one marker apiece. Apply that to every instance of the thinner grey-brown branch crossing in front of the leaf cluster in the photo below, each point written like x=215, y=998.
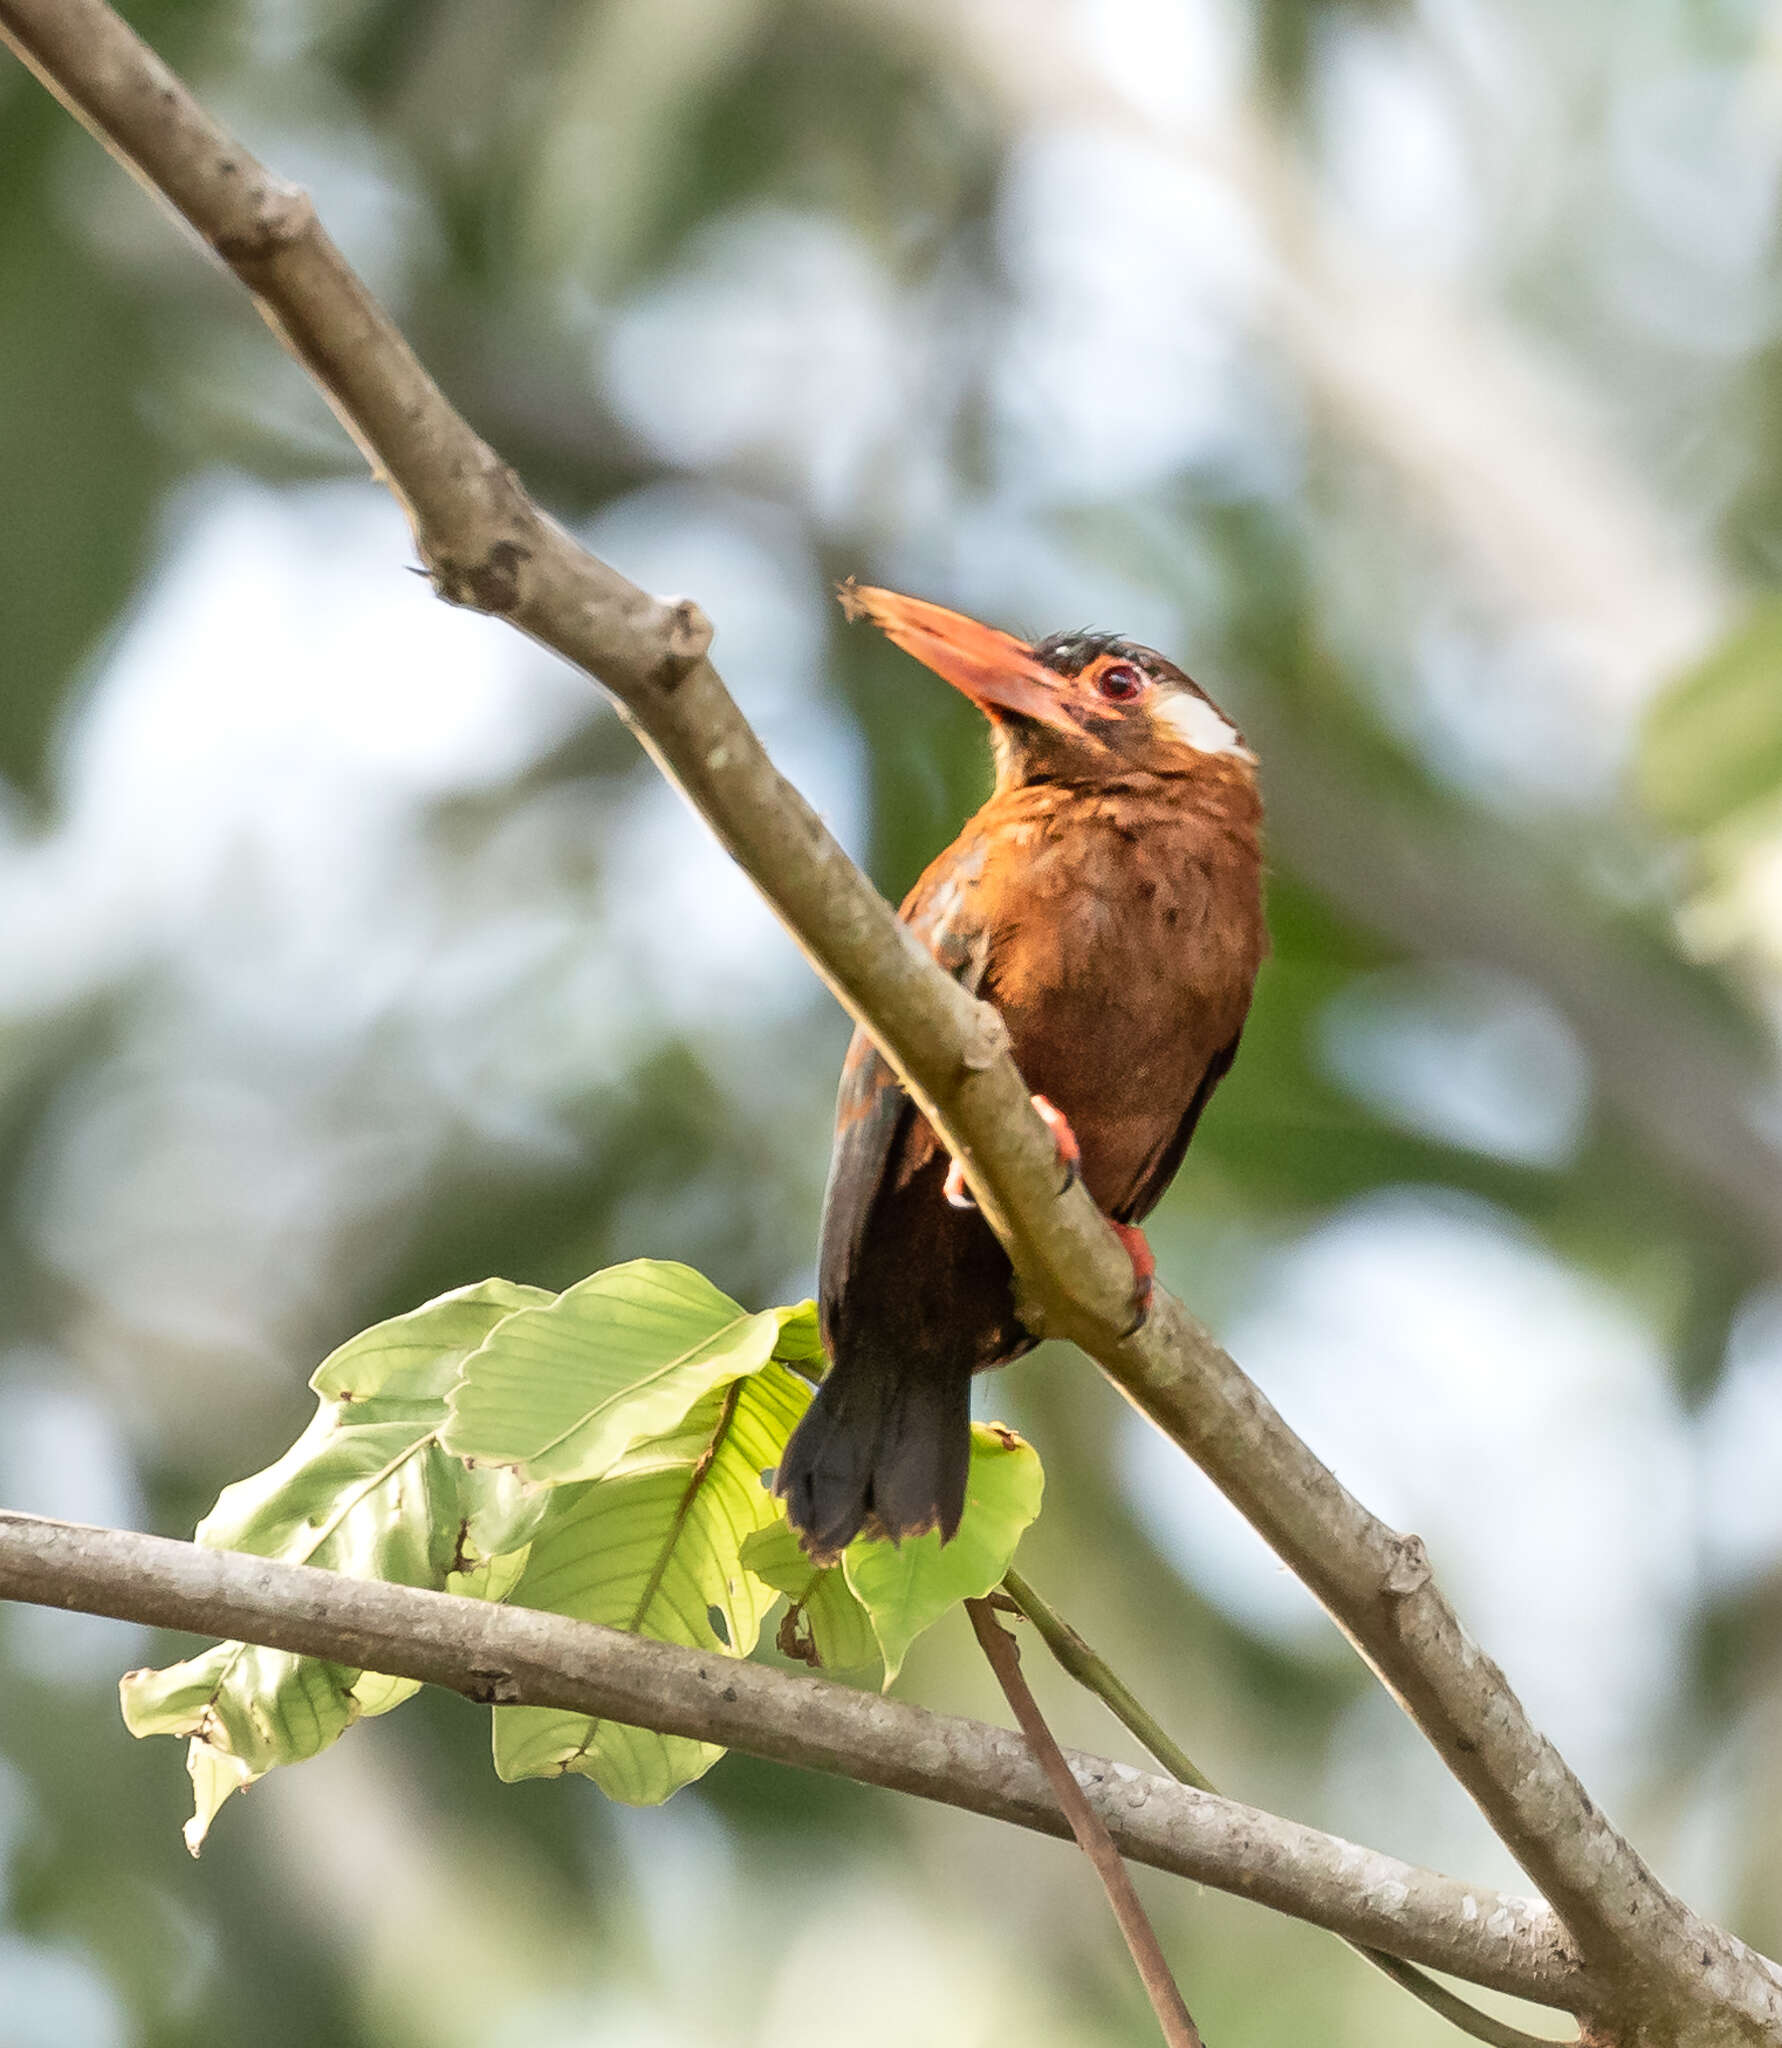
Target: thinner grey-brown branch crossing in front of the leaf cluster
x=523, y=1658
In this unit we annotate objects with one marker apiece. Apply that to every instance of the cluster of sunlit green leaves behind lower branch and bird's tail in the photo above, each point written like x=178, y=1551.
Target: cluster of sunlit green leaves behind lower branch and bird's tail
x=605, y=1455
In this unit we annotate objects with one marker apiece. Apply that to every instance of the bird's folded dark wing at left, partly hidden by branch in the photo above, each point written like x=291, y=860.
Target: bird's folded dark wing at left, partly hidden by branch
x=872, y=1111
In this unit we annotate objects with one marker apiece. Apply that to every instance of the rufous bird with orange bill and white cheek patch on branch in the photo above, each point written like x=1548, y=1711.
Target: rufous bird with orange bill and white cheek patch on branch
x=1109, y=902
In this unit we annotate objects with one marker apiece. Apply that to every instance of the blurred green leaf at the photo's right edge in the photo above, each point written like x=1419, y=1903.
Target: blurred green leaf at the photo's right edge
x=1713, y=742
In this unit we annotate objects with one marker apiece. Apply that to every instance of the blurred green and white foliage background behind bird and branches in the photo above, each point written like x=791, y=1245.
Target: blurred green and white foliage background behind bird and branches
x=1412, y=374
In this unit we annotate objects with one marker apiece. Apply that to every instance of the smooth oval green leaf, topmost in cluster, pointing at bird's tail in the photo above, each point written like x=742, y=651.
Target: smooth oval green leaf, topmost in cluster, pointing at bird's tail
x=562, y=1394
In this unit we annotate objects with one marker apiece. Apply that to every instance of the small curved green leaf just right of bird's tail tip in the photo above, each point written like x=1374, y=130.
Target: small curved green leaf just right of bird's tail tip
x=904, y=1588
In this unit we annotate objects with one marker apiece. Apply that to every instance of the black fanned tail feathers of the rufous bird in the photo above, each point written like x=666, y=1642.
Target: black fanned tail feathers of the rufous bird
x=878, y=1451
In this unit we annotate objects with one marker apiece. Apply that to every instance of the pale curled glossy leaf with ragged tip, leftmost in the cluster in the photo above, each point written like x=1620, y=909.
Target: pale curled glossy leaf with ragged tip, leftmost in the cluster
x=368, y=1490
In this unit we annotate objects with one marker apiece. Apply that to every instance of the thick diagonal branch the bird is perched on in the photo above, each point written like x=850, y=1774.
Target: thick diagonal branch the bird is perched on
x=489, y=546
